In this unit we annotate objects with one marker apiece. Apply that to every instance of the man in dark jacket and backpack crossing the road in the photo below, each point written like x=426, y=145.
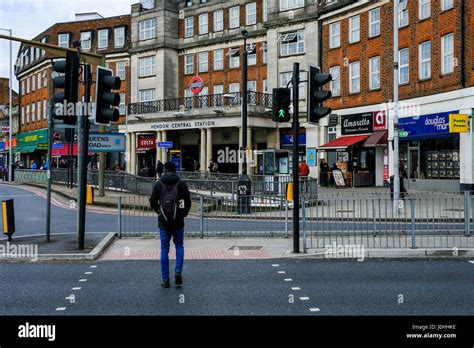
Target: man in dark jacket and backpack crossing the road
x=171, y=200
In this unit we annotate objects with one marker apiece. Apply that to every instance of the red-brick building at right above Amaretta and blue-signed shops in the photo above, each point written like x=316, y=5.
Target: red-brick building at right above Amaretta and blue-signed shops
x=435, y=77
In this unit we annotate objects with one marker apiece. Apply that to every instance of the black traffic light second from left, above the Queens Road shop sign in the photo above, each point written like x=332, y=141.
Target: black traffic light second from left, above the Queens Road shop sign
x=106, y=101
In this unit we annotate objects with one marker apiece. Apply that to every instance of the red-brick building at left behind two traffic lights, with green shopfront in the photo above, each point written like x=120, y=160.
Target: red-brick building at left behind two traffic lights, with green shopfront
x=107, y=36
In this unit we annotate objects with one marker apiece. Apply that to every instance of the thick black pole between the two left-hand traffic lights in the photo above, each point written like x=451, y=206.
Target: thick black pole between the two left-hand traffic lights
x=83, y=147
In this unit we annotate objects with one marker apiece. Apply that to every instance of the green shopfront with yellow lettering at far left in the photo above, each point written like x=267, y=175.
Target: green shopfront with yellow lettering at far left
x=32, y=147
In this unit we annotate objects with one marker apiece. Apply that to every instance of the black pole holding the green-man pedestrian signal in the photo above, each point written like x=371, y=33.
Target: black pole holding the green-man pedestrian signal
x=296, y=145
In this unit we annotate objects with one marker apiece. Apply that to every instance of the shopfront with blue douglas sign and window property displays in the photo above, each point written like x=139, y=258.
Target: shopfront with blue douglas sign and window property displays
x=430, y=152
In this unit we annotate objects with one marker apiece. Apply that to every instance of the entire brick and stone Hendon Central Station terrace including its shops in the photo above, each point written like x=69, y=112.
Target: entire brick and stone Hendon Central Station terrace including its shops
x=181, y=62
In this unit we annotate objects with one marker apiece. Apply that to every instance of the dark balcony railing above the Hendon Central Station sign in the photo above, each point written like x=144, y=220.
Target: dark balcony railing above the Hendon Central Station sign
x=199, y=102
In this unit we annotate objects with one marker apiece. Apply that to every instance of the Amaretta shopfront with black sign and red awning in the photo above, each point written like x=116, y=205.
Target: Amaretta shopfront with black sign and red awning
x=361, y=150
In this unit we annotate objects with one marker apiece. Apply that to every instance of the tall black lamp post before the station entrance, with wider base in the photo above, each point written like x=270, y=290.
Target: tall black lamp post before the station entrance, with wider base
x=244, y=189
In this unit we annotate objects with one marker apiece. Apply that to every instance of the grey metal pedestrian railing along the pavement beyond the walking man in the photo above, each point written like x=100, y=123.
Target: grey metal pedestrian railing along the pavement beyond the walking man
x=369, y=220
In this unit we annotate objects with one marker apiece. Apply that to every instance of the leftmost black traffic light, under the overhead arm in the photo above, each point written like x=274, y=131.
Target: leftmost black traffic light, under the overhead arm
x=66, y=77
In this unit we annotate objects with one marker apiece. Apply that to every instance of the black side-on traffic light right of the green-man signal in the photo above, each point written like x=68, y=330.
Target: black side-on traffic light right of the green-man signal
x=316, y=95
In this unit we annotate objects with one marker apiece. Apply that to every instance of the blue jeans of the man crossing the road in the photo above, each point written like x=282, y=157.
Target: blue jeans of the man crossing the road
x=178, y=239
